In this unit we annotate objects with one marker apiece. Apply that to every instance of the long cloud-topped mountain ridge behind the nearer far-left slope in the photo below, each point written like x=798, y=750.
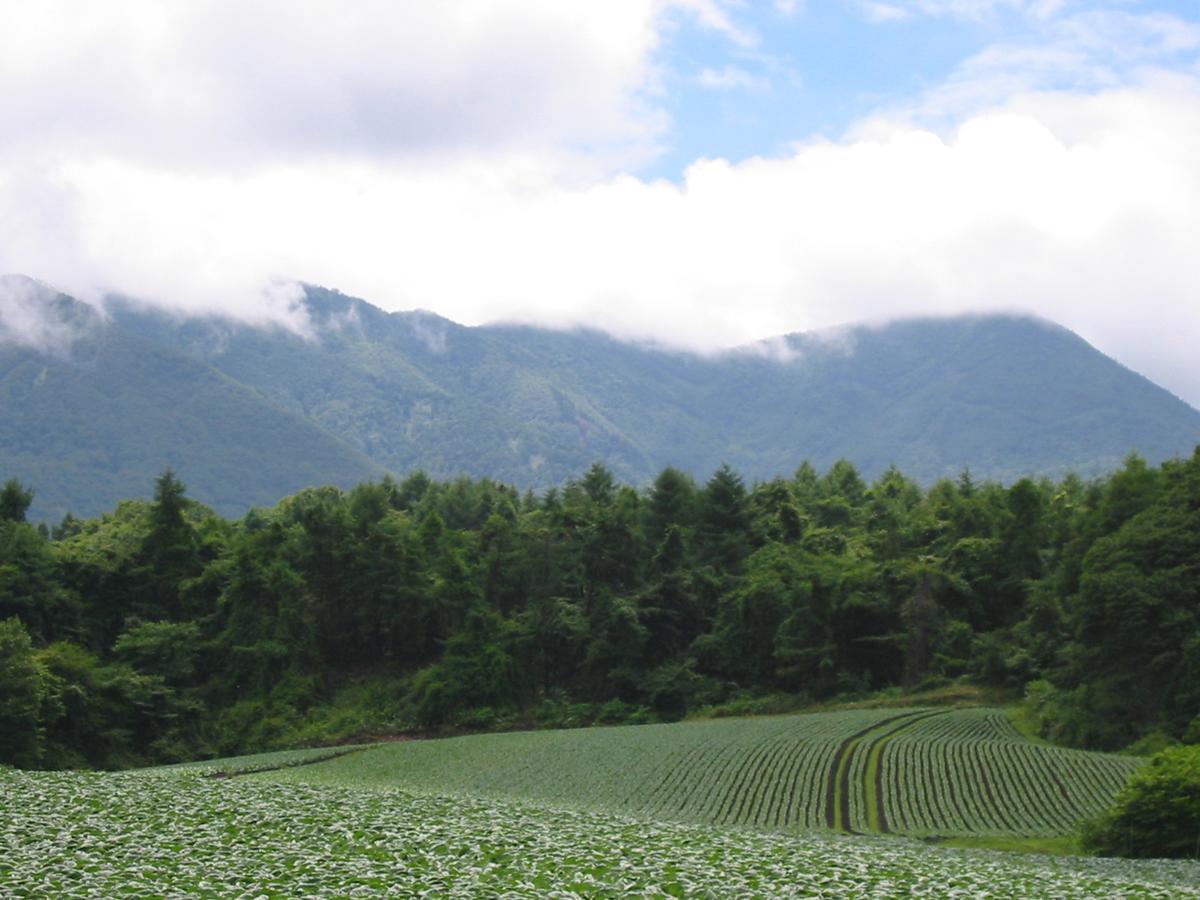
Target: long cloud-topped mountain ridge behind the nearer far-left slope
x=1004, y=395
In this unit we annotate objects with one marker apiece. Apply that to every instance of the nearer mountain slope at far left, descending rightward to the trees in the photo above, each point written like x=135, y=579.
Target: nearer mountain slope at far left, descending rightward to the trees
x=97, y=421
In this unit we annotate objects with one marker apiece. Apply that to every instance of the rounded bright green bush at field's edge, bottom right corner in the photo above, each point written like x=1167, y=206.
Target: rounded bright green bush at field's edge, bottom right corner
x=1157, y=814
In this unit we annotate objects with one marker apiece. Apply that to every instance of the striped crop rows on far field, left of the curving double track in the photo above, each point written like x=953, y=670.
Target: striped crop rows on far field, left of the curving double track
x=761, y=772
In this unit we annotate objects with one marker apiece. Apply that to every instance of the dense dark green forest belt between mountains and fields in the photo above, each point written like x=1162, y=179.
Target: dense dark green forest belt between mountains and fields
x=161, y=632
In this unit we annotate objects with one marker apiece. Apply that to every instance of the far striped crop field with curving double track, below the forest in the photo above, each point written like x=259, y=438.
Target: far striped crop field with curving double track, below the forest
x=916, y=772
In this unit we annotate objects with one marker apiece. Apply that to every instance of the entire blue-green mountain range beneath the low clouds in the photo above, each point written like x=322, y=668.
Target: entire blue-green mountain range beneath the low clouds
x=249, y=415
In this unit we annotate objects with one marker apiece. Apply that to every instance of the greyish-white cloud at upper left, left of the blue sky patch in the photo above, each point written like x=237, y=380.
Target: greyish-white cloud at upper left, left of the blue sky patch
x=226, y=81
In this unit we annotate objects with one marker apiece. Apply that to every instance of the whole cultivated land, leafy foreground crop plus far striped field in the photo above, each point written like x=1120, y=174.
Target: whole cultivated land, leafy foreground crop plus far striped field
x=778, y=807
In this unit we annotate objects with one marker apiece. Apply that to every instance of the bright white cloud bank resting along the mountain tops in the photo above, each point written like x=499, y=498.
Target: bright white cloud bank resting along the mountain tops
x=1084, y=211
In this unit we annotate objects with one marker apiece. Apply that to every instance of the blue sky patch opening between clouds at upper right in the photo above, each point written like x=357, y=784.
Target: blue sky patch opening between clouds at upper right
x=794, y=71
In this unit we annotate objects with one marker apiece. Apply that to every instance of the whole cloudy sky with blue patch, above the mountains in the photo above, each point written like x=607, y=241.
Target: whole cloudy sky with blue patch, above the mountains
x=695, y=173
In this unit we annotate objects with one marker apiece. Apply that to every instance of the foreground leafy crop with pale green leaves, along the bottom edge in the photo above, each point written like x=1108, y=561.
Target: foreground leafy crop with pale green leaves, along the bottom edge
x=79, y=835
